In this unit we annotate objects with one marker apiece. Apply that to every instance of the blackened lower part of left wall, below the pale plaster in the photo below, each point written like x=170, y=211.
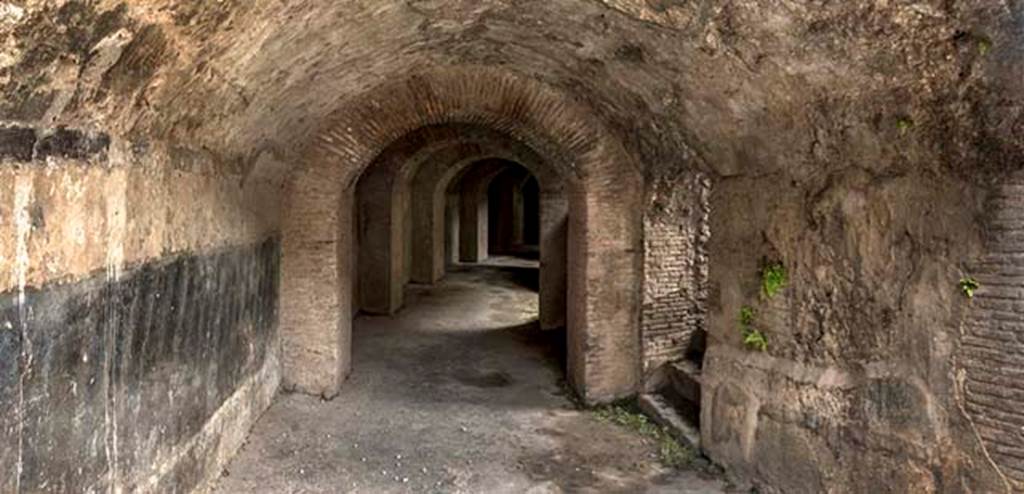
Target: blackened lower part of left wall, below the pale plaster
x=143, y=362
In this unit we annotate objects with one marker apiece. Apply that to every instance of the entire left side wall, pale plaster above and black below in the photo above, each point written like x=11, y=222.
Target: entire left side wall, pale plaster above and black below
x=139, y=313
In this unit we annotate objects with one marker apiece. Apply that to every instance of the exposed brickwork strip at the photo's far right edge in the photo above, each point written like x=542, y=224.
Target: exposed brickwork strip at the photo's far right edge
x=993, y=346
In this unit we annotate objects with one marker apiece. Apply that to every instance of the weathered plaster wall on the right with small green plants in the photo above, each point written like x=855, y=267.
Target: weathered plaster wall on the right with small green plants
x=857, y=391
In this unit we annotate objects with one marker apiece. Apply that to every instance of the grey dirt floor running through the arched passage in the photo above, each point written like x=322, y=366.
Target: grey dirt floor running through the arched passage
x=459, y=393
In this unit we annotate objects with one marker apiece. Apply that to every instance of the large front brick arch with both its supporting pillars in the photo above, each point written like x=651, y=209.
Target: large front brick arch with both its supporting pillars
x=605, y=271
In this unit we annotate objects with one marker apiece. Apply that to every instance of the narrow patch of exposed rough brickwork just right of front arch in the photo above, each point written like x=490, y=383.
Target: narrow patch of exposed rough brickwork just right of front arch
x=675, y=296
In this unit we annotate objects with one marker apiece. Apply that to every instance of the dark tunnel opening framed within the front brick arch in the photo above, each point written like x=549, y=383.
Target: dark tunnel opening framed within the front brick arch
x=439, y=235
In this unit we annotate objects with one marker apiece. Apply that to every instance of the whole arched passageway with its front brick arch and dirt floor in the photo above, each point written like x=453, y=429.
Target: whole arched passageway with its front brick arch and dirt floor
x=419, y=243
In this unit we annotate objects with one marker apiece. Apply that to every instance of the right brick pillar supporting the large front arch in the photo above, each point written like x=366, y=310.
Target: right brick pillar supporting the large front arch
x=604, y=309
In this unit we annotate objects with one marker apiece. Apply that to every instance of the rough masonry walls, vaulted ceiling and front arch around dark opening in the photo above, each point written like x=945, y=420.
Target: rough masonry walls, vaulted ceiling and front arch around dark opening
x=178, y=214
